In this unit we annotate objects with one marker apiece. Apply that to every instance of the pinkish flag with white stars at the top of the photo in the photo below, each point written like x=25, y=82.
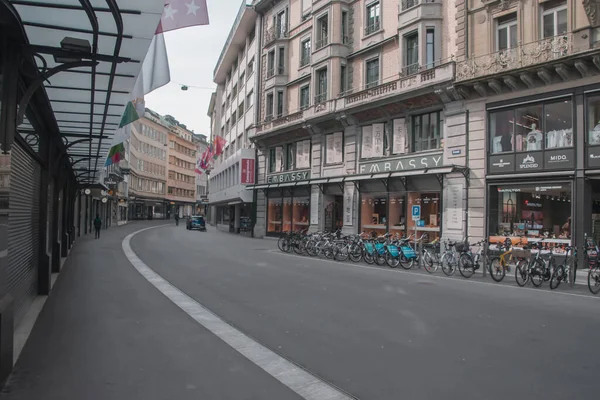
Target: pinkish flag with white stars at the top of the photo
x=181, y=14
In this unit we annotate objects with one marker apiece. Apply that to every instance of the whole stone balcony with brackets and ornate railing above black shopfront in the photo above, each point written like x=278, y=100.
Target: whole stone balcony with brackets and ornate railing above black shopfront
x=557, y=59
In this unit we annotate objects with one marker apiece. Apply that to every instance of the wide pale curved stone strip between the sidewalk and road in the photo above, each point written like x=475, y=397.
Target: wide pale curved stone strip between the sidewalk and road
x=294, y=377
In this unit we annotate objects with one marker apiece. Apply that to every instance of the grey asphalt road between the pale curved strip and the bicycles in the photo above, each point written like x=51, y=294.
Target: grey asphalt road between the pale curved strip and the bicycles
x=378, y=333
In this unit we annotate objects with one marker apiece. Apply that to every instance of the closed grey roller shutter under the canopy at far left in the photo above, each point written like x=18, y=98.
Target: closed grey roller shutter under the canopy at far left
x=23, y=242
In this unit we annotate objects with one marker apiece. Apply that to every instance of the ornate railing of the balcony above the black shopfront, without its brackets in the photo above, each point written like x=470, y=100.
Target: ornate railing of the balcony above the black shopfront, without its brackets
x=522, y=56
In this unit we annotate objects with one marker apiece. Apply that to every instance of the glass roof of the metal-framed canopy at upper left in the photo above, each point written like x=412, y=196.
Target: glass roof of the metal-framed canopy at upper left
x=88, y=101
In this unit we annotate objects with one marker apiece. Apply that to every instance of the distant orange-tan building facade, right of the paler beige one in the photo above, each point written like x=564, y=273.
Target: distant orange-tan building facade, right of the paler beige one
x=181, y=179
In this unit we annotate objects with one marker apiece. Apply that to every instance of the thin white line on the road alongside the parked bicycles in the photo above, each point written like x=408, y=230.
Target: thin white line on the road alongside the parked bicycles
x=467, y=281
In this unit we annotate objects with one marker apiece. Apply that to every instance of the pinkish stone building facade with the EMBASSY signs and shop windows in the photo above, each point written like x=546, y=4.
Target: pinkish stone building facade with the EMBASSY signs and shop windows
x=357, y=118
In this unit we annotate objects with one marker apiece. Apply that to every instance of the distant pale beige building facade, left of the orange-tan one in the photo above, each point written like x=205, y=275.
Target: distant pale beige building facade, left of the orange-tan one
x=147, y=163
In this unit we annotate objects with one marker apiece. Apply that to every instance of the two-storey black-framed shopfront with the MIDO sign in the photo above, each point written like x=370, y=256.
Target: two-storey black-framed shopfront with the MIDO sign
x=543, y=168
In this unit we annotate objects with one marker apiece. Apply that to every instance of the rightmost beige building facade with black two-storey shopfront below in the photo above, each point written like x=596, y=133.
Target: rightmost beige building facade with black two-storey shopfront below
x=528, y=73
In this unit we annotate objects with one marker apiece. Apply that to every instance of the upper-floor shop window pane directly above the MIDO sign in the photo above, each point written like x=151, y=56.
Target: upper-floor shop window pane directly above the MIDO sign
x=559, y=124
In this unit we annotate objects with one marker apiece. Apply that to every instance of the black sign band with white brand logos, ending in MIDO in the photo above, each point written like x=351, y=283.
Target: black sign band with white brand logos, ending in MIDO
x=548, y=160
